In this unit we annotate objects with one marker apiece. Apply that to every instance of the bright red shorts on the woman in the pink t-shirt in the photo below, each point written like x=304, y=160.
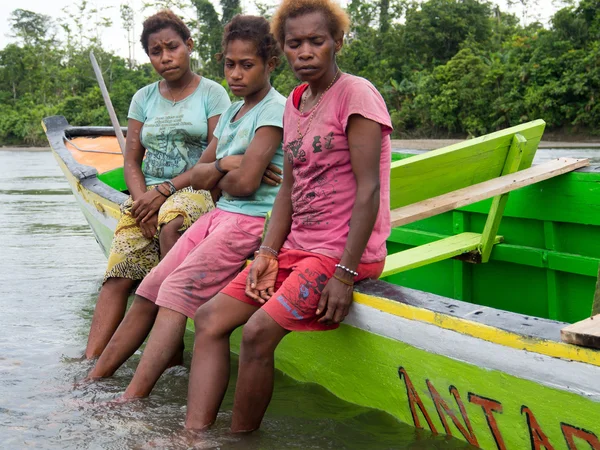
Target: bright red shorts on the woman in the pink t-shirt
x=301, y=279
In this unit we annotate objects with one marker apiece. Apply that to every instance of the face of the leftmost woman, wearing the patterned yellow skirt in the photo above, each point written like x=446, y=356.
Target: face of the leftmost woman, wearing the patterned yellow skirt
x=169, y=54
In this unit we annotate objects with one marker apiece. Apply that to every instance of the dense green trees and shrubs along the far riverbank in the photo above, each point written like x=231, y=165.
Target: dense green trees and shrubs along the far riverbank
x=444, y=67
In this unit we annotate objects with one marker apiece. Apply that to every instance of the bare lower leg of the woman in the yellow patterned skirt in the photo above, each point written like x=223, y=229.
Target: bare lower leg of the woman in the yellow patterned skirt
x=110, y=309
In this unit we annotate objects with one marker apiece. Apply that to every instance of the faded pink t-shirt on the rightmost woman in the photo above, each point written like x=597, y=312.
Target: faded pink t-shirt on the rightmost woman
x=324, y=188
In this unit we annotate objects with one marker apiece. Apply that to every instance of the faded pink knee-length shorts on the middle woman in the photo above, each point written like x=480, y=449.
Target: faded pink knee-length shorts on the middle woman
x=207, y=257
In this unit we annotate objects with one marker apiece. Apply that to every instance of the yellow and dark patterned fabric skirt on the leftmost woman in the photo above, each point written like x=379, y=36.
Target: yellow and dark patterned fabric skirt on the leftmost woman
x=131, y=254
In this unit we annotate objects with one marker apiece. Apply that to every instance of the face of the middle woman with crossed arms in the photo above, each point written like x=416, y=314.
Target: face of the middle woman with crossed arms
x=245, y=70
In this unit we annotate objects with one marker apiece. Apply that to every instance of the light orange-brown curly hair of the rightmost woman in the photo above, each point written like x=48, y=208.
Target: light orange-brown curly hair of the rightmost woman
x=337, y=19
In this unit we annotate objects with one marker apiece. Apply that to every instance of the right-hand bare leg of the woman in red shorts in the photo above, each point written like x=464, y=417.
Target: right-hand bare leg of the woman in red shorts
x=254, y=386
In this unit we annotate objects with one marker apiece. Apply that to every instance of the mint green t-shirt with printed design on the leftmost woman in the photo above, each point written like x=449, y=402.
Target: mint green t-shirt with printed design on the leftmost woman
x=175, y=135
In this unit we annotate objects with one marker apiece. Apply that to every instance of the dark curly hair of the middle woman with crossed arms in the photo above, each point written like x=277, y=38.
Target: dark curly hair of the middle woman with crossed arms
x=251, y=28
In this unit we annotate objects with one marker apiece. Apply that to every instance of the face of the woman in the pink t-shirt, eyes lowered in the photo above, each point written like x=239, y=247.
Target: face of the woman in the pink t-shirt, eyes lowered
x=309, y=47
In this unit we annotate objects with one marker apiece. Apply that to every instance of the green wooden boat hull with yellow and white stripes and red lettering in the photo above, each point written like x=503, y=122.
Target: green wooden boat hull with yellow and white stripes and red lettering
x=467, y=350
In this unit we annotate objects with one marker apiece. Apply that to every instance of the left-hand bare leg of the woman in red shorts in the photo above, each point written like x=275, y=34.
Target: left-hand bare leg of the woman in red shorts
x=209, y=376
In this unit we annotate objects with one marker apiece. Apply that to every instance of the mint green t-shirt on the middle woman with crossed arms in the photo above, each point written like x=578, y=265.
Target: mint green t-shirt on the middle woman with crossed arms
x=234, y=139
